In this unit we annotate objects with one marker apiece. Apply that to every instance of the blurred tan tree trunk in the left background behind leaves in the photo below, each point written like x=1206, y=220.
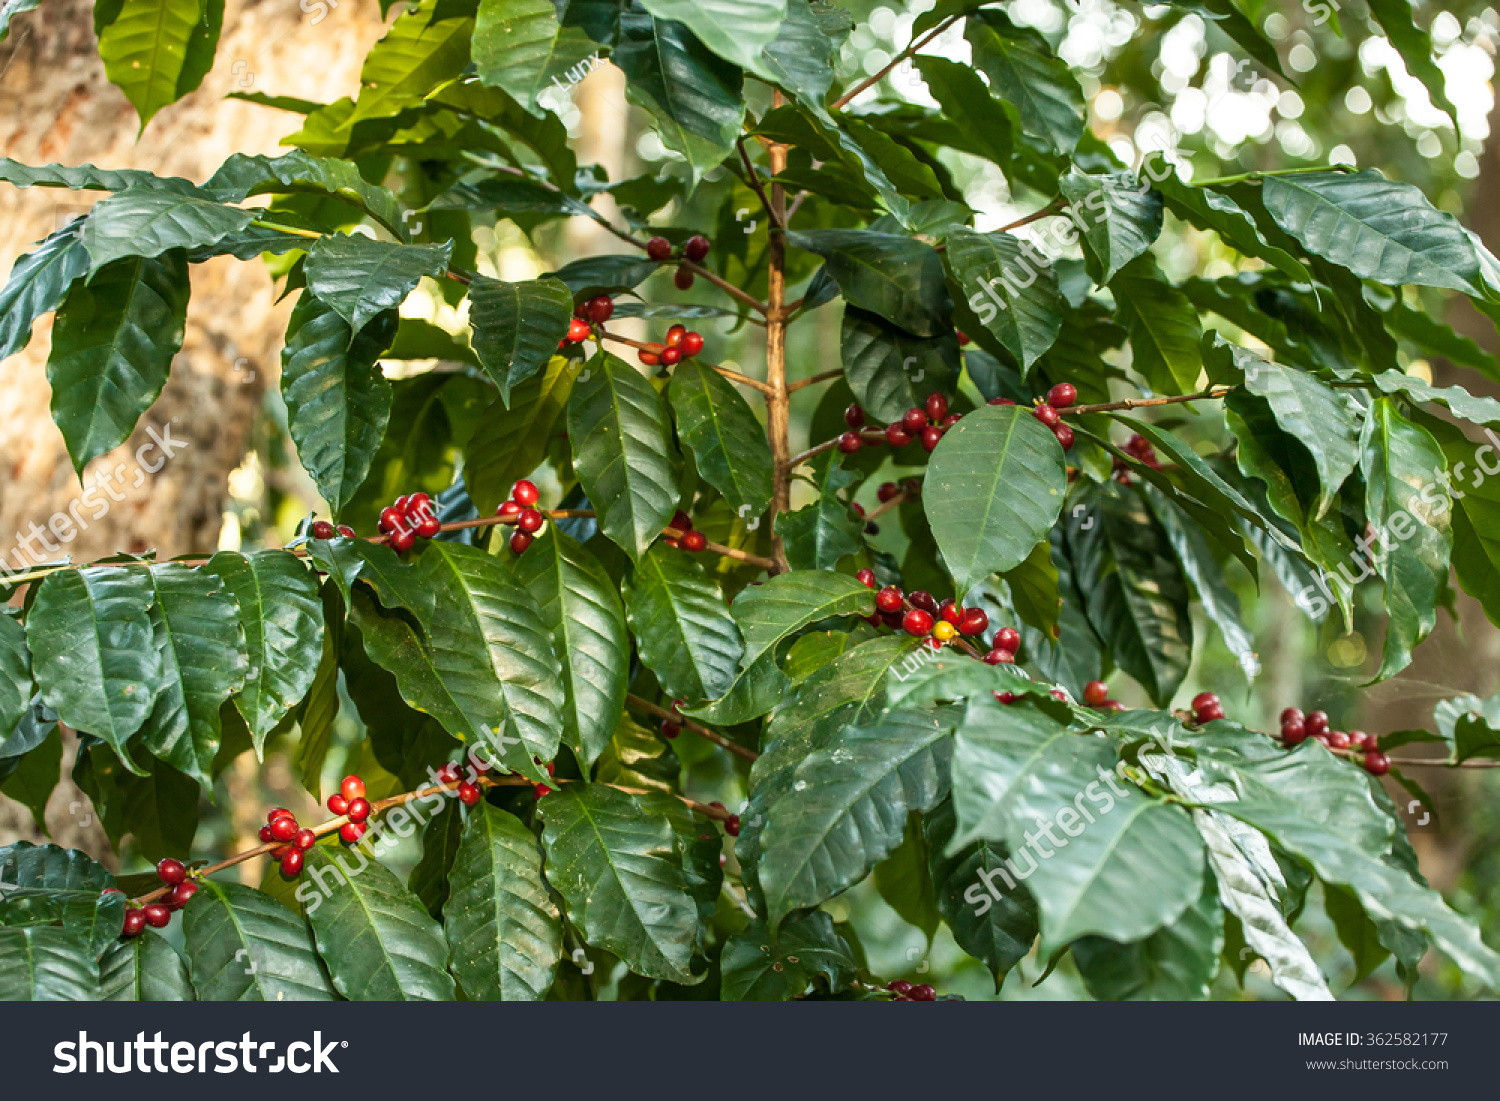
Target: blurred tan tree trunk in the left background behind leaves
x=56, y=104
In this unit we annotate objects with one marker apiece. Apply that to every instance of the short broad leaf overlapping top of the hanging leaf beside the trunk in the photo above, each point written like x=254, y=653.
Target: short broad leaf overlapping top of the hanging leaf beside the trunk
x=361, y=278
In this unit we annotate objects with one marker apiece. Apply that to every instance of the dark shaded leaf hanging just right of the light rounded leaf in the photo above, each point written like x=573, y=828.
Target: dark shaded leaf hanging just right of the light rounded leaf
x=1133, y=589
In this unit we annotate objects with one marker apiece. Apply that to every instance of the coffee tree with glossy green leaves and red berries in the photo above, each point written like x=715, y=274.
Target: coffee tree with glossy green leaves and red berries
x=545, y=565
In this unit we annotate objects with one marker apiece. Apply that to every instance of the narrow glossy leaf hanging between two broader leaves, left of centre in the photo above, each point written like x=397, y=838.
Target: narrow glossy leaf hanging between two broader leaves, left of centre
x=581, y=608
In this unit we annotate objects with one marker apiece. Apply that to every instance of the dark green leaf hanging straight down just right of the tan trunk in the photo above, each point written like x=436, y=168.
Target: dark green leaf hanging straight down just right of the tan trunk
x=338, y=401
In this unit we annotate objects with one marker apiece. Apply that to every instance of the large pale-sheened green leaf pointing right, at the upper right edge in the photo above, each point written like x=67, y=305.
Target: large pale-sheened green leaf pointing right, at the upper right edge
x=1375, y=227
